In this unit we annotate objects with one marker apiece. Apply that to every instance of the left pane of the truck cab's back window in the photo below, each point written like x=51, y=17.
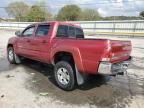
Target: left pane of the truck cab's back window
x=62, y=31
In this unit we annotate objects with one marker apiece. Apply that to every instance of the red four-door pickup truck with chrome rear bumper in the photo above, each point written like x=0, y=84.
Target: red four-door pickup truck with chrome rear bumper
x=63, y=45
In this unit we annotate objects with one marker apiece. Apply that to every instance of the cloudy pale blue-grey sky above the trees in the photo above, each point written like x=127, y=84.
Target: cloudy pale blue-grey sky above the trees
x=104, y=7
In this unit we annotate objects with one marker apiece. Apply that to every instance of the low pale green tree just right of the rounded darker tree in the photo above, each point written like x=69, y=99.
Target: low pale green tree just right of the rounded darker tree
x=89, y=15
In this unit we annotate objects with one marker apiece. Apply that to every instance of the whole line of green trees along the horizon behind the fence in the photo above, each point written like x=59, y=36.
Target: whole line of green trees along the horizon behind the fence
x=38, y=12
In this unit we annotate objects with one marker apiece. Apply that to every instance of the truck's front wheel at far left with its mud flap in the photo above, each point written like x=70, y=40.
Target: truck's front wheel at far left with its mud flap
x=12, y=57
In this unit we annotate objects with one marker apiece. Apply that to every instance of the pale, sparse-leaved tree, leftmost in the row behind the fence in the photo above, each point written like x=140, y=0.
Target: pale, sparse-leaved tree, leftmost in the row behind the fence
x=17, y=10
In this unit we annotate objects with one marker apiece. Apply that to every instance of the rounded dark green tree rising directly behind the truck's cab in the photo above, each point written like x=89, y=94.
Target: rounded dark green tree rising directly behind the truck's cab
x=69, y=13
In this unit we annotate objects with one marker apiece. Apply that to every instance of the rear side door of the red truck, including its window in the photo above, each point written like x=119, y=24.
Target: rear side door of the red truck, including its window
x=40, y=44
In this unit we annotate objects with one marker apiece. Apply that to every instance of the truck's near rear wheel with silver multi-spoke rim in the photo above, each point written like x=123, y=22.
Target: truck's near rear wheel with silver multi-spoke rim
x=64, y=75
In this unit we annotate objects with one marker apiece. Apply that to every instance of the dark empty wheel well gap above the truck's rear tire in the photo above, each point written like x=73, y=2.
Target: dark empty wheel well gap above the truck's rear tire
x=64, y=56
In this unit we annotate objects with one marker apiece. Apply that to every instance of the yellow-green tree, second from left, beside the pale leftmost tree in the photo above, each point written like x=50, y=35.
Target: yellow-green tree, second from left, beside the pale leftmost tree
x=37, y=14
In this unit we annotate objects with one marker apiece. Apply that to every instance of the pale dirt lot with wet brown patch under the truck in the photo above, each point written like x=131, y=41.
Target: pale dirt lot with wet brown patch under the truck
x=31, y=84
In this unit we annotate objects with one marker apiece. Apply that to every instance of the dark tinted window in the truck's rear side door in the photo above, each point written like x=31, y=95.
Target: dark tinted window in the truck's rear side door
x=42, y=30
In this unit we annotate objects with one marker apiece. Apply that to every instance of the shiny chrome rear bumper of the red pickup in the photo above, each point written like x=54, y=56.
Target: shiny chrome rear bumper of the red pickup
x=112, y=69
